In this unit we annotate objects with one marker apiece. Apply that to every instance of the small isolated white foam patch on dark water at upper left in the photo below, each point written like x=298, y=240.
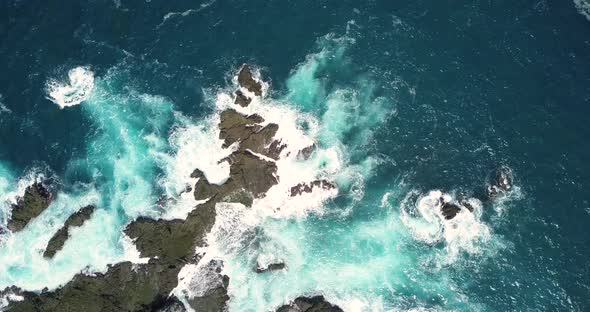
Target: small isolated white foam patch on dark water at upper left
x=73, y=92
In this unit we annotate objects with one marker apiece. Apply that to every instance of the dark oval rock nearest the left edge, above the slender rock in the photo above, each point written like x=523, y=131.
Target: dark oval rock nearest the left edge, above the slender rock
x=36, y=199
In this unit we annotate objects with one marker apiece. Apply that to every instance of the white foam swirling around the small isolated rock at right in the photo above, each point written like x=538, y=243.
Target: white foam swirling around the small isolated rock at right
x=463, y=233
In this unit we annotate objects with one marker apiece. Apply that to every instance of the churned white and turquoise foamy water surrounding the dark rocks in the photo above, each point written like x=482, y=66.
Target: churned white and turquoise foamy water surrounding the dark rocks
x=365, y=246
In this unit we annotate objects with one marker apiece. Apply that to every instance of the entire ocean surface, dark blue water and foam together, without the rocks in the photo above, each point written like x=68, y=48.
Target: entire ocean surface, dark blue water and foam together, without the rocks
x=407, y=101
